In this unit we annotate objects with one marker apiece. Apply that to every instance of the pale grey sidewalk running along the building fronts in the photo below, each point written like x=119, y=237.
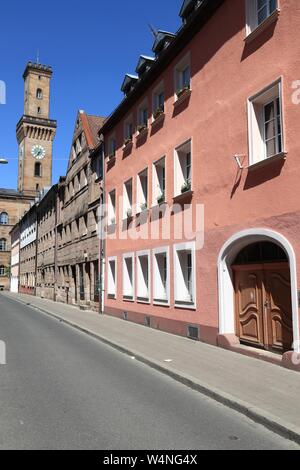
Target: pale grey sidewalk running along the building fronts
x=267, y=393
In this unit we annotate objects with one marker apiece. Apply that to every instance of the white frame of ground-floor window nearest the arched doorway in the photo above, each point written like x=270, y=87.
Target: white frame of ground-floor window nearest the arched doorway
x=184, y=303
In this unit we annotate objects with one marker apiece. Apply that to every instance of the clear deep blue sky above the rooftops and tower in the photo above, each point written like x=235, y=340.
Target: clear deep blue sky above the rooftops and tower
x=90, y=45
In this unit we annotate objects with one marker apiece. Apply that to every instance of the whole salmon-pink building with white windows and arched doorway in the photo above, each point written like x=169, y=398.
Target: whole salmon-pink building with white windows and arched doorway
x=209, y=131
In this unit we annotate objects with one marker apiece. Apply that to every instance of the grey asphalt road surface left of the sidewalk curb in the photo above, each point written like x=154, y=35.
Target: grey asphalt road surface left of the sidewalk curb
x=62, y=389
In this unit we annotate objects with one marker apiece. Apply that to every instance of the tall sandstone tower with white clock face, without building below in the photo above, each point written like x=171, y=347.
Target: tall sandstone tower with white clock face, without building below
x=36, y=132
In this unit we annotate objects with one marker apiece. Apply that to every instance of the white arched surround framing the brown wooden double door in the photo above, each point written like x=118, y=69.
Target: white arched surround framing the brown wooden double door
x=226, y=258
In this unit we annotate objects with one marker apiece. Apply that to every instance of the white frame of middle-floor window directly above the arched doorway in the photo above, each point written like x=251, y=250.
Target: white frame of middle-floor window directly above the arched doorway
x=256, y=122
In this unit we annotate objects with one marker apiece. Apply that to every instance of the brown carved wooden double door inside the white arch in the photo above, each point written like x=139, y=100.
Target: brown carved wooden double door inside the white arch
x=263, y=306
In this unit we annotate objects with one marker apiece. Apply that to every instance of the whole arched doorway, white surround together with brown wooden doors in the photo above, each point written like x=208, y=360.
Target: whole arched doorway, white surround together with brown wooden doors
x=258, y=297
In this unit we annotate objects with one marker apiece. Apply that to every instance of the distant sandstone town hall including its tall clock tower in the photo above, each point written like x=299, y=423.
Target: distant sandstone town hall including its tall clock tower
x=35, y=135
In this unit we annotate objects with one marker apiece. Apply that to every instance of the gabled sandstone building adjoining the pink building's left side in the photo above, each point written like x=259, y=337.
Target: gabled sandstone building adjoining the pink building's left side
x=77, y=208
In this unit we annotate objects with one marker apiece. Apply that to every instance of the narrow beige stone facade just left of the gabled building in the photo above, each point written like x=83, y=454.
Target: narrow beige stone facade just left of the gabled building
x=46, y=245
